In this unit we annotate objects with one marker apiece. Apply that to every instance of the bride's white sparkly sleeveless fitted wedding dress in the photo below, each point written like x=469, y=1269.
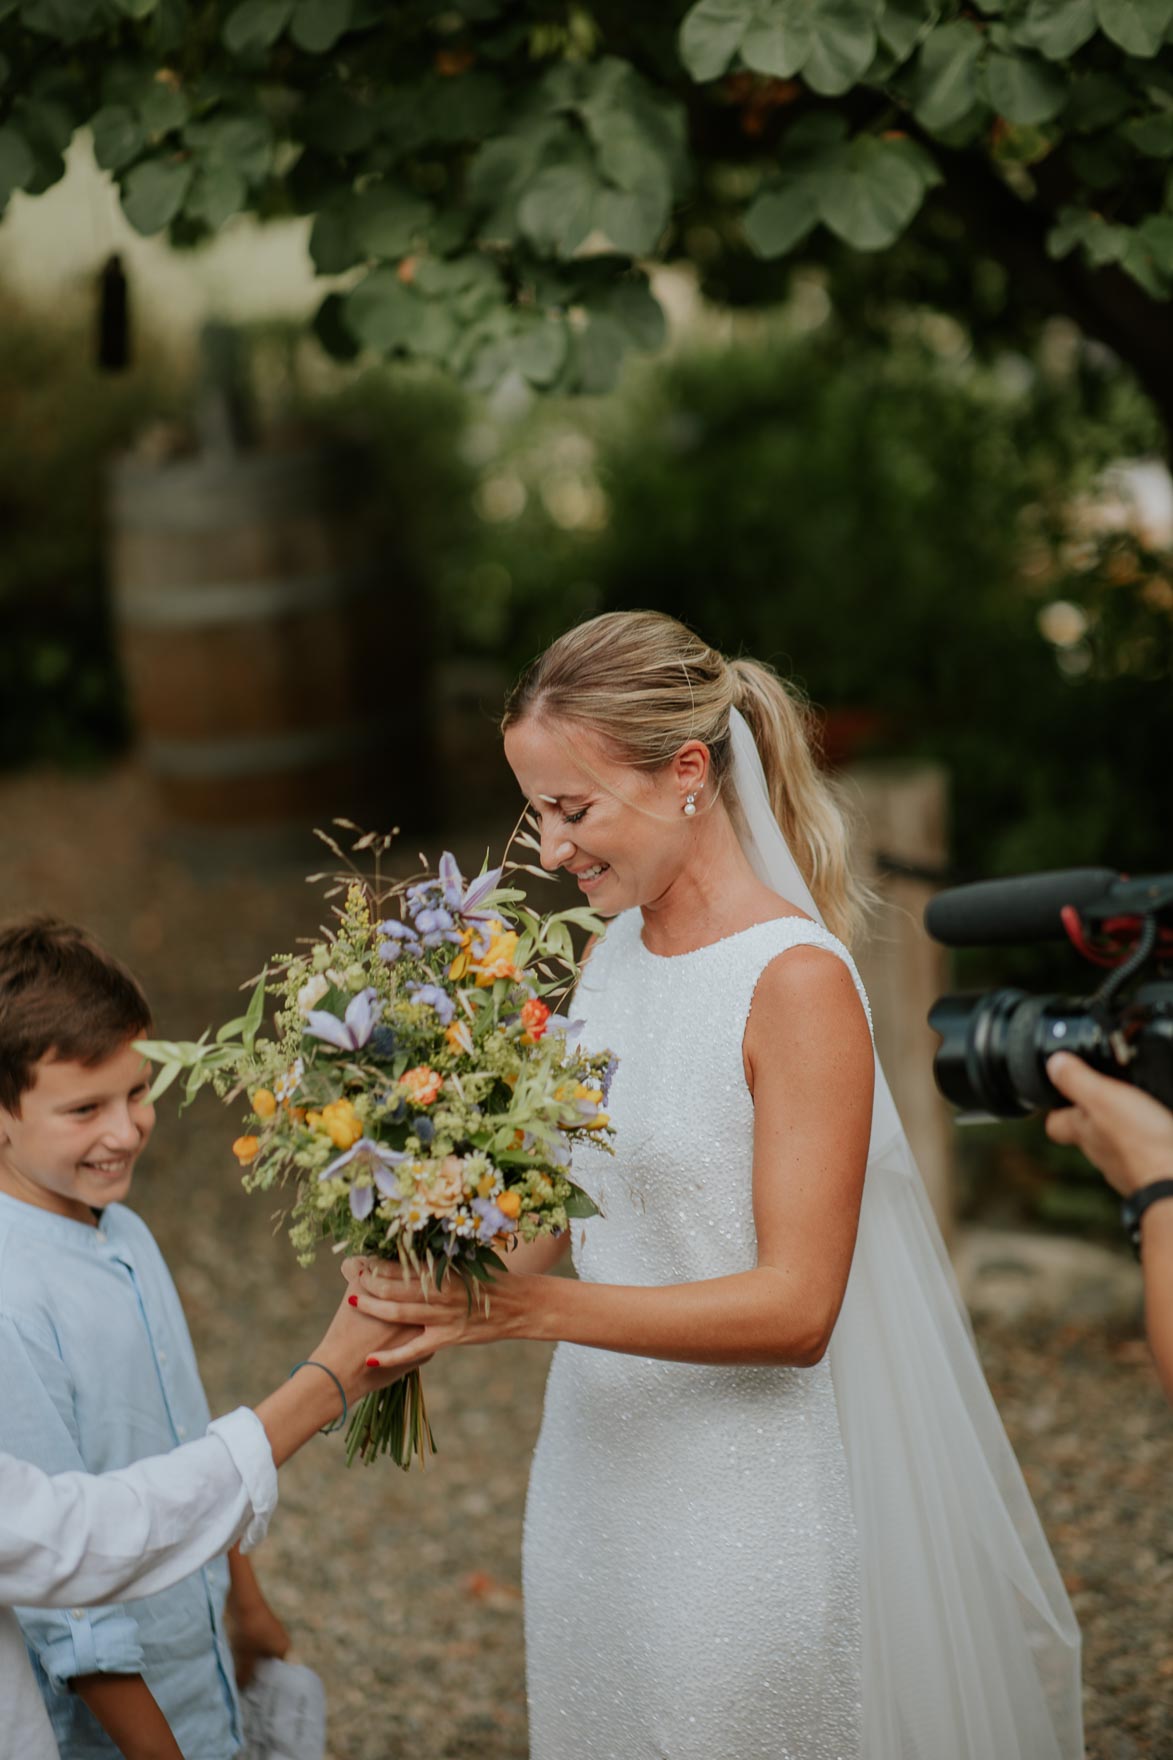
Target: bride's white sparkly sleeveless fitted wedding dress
x=691, y=1567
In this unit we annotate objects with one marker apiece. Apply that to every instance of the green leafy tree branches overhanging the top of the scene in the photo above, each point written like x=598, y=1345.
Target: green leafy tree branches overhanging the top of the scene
x=494, y=177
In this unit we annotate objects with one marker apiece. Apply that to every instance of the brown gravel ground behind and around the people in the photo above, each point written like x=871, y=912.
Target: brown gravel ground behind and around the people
x=402, y=1590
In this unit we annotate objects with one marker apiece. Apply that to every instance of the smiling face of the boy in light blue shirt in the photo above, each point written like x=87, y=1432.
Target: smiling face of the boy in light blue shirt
x=78, y=1133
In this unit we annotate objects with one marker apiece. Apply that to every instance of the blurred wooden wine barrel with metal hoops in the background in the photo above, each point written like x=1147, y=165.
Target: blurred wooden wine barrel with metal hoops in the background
x=274, y=673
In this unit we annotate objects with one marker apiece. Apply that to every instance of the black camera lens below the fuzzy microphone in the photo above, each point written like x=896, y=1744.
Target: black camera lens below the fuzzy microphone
x=994, y=1050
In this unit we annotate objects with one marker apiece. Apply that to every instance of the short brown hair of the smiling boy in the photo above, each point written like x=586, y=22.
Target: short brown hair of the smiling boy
x=61, y=994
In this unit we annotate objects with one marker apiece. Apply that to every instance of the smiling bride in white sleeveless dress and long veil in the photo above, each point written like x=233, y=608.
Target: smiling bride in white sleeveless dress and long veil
x=772, y=1514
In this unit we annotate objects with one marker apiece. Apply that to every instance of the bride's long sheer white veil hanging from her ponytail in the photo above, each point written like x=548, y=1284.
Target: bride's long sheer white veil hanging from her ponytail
x=971, y=1650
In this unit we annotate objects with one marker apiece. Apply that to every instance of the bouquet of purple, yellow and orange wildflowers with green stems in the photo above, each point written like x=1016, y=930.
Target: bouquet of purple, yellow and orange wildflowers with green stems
x=417, y=1096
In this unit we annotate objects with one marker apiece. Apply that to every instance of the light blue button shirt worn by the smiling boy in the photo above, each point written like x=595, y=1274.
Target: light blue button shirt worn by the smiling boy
x=96, y=1372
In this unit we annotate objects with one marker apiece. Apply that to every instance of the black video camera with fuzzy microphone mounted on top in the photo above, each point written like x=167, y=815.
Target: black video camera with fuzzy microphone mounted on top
x=994, y=1048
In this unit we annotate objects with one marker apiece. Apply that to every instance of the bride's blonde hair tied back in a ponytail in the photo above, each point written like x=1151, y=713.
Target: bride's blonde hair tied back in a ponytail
x=647, y=686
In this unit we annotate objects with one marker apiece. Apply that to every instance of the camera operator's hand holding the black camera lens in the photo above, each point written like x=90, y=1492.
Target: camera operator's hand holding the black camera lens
x=1121, y=1129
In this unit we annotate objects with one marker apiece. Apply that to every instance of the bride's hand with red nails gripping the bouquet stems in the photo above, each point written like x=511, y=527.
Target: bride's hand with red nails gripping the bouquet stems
x=445, y=1317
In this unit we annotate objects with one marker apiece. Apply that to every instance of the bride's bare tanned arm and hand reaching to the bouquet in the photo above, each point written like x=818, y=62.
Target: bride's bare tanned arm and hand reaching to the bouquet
x=809, y=1060
